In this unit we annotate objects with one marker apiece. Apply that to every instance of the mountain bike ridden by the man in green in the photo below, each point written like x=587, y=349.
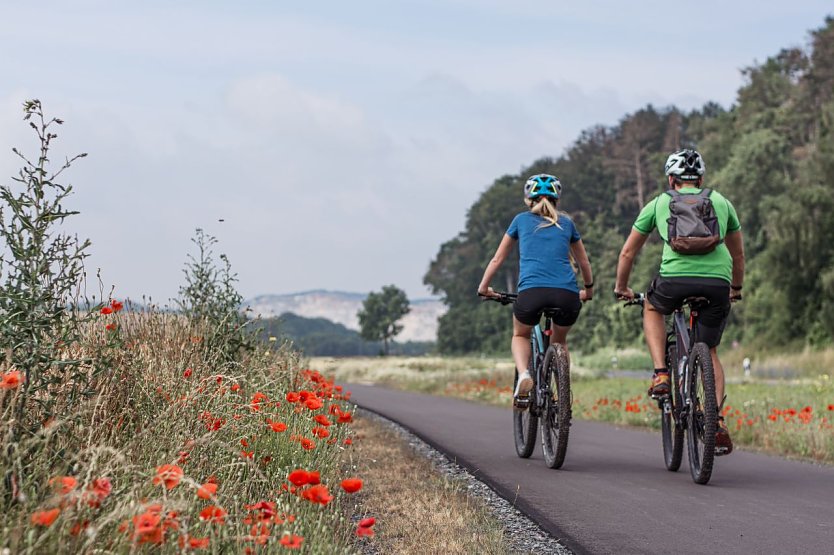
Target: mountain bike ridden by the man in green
x=691, y=405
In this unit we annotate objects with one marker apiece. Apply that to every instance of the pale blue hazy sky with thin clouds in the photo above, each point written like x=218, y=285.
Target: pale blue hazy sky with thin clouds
x=341, y=143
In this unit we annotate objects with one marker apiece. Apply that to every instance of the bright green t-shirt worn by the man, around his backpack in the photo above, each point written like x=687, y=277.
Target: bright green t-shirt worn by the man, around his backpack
x=715, y=264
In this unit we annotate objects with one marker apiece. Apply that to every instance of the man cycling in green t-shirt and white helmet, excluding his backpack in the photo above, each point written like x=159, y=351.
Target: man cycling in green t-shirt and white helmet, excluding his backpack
x=716, y=275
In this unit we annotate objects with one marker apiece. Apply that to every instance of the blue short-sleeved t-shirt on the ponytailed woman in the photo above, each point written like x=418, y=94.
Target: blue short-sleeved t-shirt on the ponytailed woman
x=544, y=251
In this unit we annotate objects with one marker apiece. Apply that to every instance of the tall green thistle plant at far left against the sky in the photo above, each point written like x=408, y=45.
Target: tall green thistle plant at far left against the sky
x=41, y=274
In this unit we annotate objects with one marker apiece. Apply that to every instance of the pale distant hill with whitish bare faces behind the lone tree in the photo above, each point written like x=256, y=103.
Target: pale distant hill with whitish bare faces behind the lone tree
x=340, y=307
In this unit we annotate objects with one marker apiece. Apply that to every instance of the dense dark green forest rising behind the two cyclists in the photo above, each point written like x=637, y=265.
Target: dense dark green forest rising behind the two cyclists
x=771, y=154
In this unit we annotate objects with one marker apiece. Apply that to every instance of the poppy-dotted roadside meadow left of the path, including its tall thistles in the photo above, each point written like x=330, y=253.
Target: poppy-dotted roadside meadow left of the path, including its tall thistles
x=128, y=428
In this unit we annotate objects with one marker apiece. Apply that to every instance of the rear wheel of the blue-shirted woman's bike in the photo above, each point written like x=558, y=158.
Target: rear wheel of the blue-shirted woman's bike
x=557, y=406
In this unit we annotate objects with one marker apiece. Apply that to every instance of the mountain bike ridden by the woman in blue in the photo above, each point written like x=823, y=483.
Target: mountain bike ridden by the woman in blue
x=550, y=398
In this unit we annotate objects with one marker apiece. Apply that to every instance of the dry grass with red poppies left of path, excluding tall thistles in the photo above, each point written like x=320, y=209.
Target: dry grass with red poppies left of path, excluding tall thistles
x=178, y=452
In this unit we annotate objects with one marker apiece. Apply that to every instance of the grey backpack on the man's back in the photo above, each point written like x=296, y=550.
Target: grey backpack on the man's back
x=693, y=225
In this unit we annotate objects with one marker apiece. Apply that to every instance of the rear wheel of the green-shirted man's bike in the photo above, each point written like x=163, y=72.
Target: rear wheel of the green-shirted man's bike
x=703, y=415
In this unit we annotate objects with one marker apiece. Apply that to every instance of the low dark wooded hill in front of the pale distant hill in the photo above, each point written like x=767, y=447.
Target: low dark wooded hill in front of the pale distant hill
x=321, y=337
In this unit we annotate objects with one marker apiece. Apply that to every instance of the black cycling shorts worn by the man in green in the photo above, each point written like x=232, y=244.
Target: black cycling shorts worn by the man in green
x=668, y=294
